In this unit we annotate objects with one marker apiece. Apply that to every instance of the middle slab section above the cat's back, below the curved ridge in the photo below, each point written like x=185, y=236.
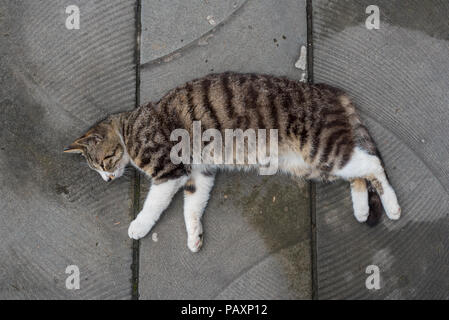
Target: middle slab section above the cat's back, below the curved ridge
x=262, y=36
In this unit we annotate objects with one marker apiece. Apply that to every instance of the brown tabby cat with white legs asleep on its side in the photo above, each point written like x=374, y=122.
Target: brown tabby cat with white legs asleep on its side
x=320, y=136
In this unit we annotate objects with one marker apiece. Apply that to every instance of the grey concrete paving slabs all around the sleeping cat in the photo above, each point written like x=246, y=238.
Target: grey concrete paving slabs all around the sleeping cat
x=55, y=212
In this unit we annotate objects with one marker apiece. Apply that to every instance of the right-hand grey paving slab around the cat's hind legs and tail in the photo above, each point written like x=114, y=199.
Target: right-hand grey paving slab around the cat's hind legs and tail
x=398, y=76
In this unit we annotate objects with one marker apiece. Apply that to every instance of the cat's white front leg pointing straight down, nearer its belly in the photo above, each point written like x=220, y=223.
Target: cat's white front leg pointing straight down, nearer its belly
x=196, y=195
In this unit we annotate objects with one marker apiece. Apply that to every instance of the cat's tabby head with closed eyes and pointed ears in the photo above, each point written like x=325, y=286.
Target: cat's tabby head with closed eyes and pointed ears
x=103, y=149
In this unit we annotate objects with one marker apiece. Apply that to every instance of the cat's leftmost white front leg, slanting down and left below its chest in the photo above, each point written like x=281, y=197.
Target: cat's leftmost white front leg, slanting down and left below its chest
x=157, y=201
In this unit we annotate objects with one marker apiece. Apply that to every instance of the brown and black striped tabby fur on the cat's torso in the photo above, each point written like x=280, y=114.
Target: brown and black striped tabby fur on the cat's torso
x=317, y=121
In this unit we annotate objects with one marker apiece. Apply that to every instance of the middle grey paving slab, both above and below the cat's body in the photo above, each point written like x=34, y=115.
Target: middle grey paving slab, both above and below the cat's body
x=254, y=248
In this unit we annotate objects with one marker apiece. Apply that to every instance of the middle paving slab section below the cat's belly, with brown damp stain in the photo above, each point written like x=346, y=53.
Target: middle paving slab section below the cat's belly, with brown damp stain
x=256, y=244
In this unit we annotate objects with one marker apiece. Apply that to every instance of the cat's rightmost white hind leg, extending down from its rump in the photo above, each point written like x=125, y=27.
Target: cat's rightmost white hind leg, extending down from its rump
x=367, y=166
